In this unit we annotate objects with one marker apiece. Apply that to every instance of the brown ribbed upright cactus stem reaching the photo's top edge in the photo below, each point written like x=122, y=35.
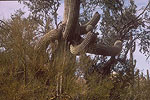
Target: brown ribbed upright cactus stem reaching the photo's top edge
x=72, y=21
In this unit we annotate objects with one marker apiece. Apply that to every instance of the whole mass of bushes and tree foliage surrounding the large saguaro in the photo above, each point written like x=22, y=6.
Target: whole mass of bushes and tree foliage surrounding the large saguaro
x=56, y=74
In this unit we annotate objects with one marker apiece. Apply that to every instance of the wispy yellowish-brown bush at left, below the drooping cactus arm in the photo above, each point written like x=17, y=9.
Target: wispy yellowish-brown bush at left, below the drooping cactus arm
x=24, y=74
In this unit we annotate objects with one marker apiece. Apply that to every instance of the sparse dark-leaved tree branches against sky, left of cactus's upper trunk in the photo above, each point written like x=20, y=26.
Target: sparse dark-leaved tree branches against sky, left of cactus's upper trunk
x=45, y=10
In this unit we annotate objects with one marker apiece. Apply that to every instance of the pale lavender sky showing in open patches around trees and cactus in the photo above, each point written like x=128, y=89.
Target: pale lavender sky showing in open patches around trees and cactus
x=7, y=8
